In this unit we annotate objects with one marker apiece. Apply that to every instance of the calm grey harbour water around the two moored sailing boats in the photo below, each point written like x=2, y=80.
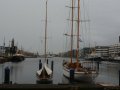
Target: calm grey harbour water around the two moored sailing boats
x=25, y=72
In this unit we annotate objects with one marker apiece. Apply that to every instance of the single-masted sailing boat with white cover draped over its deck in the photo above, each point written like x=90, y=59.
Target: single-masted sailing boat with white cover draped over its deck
x=45, y=73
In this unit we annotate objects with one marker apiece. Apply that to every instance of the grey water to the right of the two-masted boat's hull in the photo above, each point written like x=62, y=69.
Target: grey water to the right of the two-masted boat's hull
x=109, y=73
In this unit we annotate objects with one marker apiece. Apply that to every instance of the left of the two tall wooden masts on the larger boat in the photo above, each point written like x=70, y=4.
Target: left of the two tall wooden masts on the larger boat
x=71, y=53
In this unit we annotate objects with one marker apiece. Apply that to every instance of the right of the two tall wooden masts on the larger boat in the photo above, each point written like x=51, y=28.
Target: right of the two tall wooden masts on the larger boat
x=78, y=31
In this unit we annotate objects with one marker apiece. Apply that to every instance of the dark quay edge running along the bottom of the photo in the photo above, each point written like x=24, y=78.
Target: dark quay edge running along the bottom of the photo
x=57, y=87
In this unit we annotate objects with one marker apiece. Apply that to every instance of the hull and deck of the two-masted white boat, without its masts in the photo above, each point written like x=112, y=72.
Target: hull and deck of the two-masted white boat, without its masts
x=80, y=73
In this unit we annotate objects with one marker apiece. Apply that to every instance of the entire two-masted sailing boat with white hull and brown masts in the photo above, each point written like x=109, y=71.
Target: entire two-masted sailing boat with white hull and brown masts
x=80, y=71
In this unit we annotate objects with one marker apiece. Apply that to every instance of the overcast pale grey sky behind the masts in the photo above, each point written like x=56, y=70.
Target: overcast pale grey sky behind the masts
x=23, y=20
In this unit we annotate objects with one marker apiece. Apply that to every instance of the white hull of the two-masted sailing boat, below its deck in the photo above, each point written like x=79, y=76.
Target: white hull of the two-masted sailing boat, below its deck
x=80, y=75
